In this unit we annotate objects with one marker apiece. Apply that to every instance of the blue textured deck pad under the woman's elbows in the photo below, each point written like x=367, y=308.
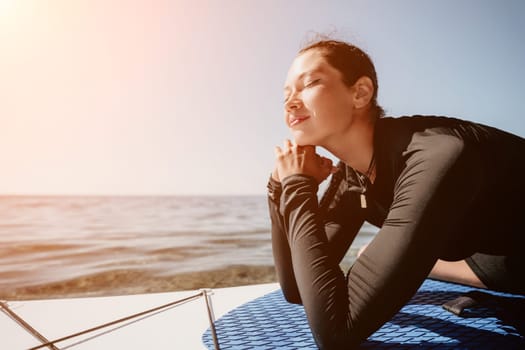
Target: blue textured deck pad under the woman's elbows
x=498, y=322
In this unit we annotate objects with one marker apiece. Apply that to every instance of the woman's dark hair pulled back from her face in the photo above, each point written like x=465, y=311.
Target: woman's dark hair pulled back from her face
x=352, y=62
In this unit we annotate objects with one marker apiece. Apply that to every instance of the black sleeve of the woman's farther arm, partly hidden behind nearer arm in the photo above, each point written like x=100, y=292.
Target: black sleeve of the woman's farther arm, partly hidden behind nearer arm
x=341, y=229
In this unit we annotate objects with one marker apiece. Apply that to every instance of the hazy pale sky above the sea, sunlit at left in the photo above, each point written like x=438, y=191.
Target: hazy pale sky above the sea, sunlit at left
x=155, y=97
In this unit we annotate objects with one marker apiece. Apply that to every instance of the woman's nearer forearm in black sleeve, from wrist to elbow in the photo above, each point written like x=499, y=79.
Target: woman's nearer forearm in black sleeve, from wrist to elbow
x=320, y=281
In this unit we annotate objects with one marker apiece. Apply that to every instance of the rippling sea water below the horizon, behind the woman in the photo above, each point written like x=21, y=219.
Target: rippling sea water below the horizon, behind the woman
x=49, y=239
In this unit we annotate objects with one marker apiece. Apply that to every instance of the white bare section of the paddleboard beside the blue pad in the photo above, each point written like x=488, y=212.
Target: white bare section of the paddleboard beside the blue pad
x=179, y=327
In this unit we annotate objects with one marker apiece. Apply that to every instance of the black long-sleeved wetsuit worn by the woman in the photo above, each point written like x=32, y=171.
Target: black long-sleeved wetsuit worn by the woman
x=444, y=189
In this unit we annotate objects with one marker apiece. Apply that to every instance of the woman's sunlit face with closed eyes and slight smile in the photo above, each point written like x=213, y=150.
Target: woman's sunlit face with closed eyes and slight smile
x=318, y=105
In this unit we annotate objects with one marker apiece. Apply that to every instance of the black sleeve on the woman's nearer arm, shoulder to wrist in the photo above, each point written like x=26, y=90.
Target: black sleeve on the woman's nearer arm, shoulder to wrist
x=432, y=191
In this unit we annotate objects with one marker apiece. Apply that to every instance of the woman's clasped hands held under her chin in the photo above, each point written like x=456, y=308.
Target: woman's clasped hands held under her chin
x=293, y=159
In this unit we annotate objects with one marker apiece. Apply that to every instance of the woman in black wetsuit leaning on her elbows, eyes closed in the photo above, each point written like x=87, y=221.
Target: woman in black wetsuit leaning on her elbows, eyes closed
x=446, y=193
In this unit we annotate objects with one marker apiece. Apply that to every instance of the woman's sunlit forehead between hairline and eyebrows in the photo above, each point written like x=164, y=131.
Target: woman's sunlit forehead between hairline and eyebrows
x=305, y=63
